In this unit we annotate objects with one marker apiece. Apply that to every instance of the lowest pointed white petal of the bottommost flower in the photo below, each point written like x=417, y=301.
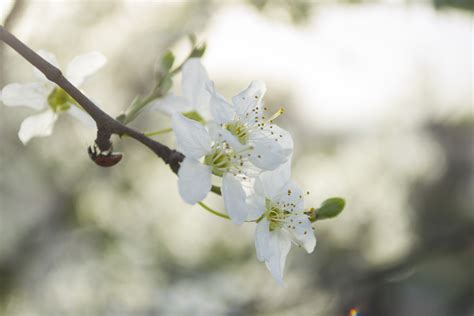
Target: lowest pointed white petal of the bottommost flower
x=278, y=247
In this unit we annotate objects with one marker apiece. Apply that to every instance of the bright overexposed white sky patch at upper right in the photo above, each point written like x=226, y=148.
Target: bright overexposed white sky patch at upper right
x=352, y=65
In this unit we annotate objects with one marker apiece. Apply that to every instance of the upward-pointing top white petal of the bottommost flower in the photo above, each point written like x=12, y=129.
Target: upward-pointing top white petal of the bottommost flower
x=274, y=182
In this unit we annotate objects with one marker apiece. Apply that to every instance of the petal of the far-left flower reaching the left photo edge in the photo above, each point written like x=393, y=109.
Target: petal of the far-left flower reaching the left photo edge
x=32, y=95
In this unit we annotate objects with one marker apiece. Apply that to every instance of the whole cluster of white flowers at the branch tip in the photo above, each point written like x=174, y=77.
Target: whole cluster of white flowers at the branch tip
x=236, y=144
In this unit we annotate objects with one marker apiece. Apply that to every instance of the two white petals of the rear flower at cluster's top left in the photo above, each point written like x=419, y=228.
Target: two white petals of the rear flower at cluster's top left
x=195, y=97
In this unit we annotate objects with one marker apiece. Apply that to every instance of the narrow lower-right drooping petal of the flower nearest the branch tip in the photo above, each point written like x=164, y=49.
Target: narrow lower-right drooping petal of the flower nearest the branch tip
x=234, y=199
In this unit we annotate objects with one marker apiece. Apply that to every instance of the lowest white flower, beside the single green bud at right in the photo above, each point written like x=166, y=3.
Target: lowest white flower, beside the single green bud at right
x=284, y=221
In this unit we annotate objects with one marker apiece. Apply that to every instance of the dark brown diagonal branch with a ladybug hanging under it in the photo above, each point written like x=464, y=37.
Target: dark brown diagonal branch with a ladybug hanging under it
x=106, y=125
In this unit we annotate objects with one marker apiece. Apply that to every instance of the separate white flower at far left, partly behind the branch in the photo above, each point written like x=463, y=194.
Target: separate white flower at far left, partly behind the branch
x=46, y=95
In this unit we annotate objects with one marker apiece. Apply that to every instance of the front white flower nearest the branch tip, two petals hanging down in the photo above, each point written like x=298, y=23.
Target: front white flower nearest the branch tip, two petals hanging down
x=207, y=153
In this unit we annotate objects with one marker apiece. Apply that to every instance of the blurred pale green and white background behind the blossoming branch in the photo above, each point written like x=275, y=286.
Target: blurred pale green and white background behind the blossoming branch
x=379, y=99
